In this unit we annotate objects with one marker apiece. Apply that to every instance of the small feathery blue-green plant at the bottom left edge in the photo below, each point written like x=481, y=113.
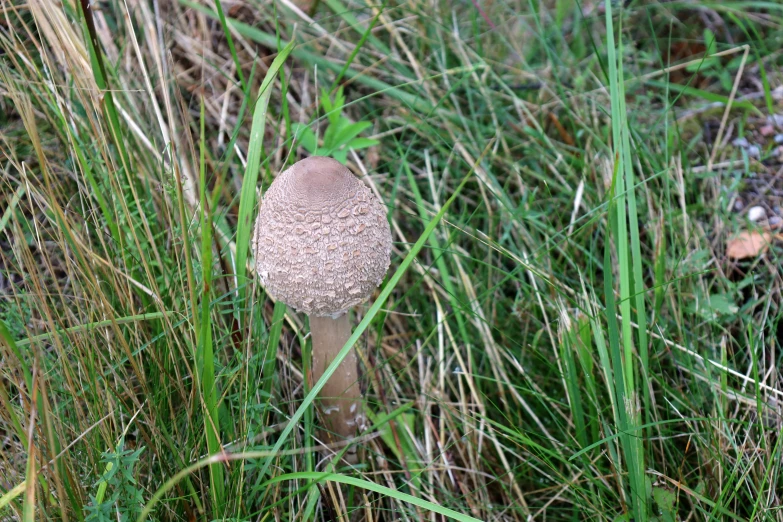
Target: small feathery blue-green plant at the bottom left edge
x=126, y=500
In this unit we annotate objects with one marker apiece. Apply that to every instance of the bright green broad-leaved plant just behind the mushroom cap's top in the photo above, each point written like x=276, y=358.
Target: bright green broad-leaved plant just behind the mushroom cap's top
x=340, y=136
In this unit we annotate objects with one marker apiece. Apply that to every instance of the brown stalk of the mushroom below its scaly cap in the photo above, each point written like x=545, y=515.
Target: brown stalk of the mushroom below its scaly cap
x=340, y=399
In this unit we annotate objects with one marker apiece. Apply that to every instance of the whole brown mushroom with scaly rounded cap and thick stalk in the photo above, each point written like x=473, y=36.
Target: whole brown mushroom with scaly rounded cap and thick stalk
x=322, y=244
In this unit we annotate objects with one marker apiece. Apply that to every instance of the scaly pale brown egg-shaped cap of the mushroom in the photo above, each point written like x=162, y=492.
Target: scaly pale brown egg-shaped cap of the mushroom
x=322, y=242
